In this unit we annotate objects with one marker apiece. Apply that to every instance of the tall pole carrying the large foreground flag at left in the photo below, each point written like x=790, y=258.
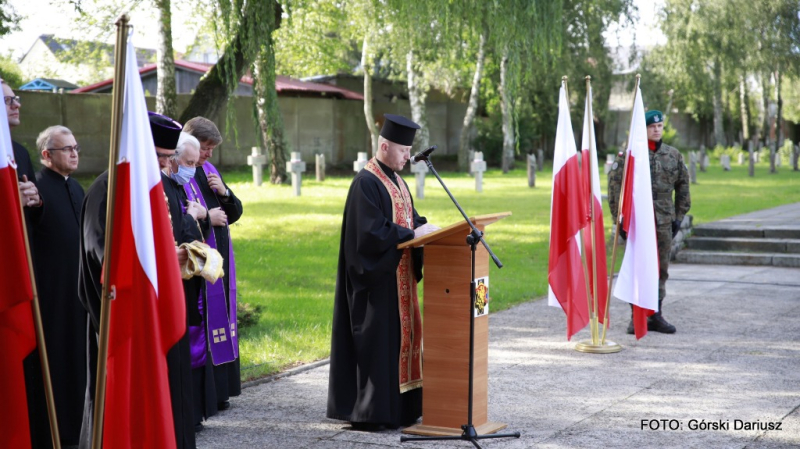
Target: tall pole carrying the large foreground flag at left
x=109, y=290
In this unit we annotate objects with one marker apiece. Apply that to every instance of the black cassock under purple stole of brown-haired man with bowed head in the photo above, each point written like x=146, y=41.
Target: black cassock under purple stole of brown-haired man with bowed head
x=227, y=377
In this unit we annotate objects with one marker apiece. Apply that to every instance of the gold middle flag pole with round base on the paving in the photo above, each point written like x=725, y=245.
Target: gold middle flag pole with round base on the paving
x=595, y=346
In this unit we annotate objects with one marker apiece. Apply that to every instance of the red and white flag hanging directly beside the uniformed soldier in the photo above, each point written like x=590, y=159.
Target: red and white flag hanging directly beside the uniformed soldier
x=637, y=282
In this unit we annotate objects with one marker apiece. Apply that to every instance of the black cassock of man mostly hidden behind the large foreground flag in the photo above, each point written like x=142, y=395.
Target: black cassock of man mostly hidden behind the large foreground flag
x=93, y=220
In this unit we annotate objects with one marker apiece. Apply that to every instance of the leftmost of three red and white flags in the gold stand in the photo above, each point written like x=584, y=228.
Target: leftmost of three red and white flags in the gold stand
x=568, y=214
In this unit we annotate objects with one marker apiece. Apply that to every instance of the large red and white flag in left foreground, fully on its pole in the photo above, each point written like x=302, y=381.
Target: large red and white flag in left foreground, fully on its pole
x=148, y=315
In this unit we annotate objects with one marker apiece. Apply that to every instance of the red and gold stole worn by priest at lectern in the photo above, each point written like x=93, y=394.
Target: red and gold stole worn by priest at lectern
x=408, y=303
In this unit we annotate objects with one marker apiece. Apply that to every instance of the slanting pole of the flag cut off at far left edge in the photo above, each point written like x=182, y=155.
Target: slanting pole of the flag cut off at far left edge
x=37, y=321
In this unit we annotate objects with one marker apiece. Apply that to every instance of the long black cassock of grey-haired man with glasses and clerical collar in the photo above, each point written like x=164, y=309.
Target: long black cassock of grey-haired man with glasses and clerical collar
x=55, y=246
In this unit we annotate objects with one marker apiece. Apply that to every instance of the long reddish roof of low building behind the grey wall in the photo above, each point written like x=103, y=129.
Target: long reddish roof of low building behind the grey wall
x=283, y=84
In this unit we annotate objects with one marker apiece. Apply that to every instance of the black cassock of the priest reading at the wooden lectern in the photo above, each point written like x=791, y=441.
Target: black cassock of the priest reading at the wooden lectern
x=364, y=383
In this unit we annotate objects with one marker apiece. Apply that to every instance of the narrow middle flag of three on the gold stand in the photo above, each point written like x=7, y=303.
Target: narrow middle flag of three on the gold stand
x=591, y=179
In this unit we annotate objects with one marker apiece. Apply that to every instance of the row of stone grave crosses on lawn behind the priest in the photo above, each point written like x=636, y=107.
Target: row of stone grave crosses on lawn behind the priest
x=296, y=167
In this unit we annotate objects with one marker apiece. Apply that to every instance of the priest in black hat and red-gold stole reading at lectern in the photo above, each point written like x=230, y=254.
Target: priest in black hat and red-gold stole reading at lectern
x=376, y=346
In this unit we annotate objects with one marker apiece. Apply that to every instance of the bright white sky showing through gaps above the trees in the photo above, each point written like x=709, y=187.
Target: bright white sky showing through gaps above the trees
x=57, y=17
